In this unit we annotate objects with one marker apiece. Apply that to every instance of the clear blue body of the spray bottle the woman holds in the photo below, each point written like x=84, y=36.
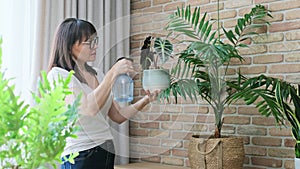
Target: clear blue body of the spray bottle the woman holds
x=123, y=88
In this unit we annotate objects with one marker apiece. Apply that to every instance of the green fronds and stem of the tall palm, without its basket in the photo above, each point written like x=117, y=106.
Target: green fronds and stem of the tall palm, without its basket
x=208, y=55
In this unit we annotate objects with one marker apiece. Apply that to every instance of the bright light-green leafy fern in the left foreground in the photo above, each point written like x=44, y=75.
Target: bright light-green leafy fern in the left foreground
x=34, y=136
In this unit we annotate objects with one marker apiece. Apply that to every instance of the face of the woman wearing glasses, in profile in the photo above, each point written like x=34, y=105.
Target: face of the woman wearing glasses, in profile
x=85, y=51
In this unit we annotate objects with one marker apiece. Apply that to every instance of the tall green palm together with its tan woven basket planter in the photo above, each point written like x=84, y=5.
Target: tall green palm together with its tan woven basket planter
x=206, y=60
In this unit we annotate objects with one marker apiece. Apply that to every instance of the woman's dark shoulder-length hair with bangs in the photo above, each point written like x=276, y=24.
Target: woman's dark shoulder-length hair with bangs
x=67, y=33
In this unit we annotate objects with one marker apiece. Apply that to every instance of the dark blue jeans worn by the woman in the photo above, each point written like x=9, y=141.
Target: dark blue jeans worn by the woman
x=100, y=157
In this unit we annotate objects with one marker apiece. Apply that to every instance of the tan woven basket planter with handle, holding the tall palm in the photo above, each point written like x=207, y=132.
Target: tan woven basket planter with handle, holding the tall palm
x=216, y=153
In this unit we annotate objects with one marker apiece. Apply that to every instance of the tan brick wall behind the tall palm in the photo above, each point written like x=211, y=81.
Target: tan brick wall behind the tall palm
x=161, y=132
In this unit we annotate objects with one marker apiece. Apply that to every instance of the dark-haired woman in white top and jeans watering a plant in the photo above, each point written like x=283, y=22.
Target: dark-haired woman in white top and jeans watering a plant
x=74, y=45
